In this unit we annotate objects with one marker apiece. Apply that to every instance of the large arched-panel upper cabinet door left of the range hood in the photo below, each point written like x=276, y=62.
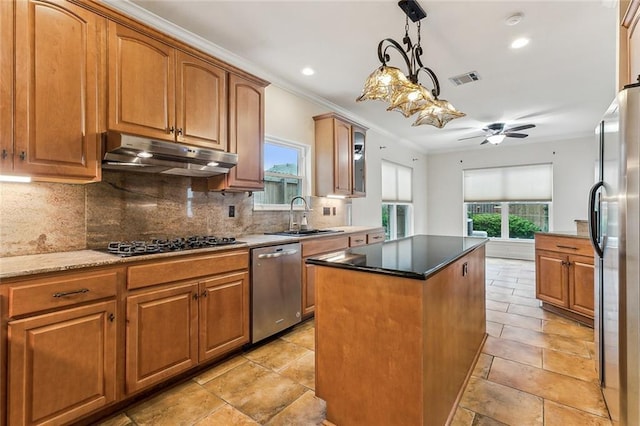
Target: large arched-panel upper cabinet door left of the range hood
x=58, y=52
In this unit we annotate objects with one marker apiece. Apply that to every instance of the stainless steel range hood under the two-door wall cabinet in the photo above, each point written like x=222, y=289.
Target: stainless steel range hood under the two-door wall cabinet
x=133, y=153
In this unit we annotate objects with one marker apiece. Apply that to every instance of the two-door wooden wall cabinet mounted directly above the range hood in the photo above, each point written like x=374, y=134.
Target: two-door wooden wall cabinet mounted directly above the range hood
x=160, y=92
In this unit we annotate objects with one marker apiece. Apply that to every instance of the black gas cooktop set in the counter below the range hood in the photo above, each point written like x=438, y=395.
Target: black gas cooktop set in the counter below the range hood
x=136, y=248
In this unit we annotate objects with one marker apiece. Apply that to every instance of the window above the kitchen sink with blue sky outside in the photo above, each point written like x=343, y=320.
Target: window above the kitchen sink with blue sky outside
x=285, y=171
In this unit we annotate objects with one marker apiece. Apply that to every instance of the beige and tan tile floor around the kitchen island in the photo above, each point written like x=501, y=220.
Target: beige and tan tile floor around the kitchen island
x=536, y=368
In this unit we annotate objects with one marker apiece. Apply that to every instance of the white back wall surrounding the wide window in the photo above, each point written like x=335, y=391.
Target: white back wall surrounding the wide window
x=573, y=174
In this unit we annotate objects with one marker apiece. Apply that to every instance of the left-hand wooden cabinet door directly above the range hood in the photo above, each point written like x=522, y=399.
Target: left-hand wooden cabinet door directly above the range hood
x=141, y=84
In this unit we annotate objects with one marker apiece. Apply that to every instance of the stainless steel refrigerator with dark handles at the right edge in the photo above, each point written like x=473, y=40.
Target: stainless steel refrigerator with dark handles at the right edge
x=614, y=222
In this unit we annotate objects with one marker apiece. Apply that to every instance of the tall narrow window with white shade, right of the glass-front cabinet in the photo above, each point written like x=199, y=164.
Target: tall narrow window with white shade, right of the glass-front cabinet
x=397, y=210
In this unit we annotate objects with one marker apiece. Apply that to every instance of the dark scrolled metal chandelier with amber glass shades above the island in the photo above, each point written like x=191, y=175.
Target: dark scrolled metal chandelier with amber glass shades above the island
x=404, y=93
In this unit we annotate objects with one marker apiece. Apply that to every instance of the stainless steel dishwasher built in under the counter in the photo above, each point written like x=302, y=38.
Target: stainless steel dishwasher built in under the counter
x=276, y=289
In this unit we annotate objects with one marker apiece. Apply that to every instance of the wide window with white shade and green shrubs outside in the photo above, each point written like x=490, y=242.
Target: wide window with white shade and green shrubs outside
x=508, y=202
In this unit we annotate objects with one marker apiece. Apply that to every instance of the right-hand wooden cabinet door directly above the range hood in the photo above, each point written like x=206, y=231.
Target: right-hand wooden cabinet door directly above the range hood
x=201, y=103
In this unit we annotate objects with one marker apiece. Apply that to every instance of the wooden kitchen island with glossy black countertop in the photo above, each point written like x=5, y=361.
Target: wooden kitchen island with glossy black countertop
x=399, y=326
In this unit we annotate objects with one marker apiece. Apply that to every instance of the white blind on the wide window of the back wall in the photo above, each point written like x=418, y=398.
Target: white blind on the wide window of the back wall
x=516, y=183
